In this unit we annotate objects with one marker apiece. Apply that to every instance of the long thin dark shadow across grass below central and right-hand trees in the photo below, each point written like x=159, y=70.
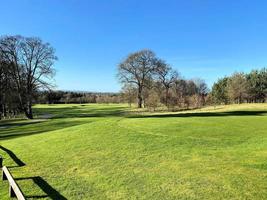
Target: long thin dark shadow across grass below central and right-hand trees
x=203, y=114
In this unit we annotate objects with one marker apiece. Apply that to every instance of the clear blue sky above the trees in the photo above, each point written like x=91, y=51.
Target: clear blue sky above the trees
x=200, y=38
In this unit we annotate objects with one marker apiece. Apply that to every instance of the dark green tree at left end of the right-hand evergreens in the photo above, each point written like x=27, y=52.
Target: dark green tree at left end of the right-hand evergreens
x=219, y=91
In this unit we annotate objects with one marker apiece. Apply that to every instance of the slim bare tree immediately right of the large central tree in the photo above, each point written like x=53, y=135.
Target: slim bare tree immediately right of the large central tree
x=167, y=77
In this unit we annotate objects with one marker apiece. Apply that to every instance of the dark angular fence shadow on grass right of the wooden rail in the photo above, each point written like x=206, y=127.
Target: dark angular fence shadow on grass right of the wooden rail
x=49, y=191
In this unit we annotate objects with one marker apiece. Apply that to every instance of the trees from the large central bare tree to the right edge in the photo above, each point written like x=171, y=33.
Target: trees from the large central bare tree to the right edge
x=153, y=83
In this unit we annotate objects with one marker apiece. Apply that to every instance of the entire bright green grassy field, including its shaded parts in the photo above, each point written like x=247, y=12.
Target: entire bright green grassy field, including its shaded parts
x=109, y=152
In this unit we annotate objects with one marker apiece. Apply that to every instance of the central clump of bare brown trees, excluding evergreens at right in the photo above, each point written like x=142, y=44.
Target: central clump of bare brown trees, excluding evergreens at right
x=153, y=82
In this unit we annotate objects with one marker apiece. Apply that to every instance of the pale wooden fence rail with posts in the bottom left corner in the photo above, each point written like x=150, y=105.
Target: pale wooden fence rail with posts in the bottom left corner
x=14, y=190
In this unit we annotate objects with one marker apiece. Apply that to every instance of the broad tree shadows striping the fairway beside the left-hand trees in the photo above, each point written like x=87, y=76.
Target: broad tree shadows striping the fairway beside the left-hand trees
x=17, y=128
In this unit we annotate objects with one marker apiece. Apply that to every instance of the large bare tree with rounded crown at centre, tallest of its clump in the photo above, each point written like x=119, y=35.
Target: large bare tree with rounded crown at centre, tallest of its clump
x=138, y=69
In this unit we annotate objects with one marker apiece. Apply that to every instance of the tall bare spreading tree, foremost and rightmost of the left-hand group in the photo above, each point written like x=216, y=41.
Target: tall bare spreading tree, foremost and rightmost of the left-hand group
x=32, y=62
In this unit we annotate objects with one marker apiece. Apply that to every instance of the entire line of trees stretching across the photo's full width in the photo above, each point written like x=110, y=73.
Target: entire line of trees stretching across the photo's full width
x=26, y=77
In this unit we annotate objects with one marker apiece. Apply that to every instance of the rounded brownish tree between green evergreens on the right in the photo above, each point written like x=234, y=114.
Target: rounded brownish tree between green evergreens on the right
x=237, y=87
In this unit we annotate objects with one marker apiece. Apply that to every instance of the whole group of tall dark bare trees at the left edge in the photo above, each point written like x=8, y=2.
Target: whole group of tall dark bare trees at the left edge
x=26, y=66
